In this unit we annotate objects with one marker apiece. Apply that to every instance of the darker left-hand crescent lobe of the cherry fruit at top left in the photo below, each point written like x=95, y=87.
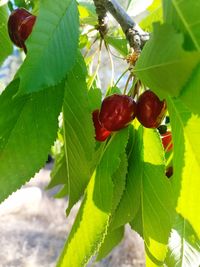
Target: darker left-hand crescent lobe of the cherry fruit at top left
x=14, y=21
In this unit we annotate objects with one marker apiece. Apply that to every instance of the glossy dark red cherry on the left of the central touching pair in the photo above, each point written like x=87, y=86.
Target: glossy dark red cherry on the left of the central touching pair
x=117, y=111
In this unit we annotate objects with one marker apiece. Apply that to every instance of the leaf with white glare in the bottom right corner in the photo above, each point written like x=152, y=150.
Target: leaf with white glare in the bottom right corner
x=184, y=245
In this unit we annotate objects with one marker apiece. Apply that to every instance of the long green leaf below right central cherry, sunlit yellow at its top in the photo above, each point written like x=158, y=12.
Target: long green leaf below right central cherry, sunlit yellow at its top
x=154, y=206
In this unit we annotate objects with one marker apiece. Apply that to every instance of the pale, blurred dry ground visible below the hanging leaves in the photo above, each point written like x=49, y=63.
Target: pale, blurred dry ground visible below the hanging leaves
x=33, y=229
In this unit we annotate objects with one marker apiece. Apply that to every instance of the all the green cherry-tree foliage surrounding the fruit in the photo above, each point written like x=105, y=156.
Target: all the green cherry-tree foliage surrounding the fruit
x=122, y=180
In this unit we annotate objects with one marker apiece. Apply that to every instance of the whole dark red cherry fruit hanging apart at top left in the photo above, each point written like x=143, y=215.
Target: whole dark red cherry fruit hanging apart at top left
x=20, y=25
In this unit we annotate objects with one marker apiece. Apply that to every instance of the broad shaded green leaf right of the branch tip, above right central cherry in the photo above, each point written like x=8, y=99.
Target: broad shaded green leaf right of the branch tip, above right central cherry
x=164, y=65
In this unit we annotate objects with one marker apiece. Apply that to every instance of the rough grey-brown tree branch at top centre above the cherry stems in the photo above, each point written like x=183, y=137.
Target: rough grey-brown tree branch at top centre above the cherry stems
x=134, y=34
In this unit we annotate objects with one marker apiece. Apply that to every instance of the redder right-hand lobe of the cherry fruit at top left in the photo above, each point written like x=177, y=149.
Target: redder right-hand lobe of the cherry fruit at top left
x=26, y=28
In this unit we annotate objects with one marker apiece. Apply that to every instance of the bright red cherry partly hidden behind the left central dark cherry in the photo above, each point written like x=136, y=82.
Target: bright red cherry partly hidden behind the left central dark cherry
x=101, y=134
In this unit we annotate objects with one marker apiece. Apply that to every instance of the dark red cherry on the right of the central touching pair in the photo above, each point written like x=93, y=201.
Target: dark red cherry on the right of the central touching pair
x=150, y=110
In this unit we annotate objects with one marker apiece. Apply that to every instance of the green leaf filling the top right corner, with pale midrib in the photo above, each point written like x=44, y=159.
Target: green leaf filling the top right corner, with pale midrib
x=184, y=16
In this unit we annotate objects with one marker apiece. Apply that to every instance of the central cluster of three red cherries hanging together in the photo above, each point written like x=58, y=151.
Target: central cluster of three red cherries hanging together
x=117, y=111
